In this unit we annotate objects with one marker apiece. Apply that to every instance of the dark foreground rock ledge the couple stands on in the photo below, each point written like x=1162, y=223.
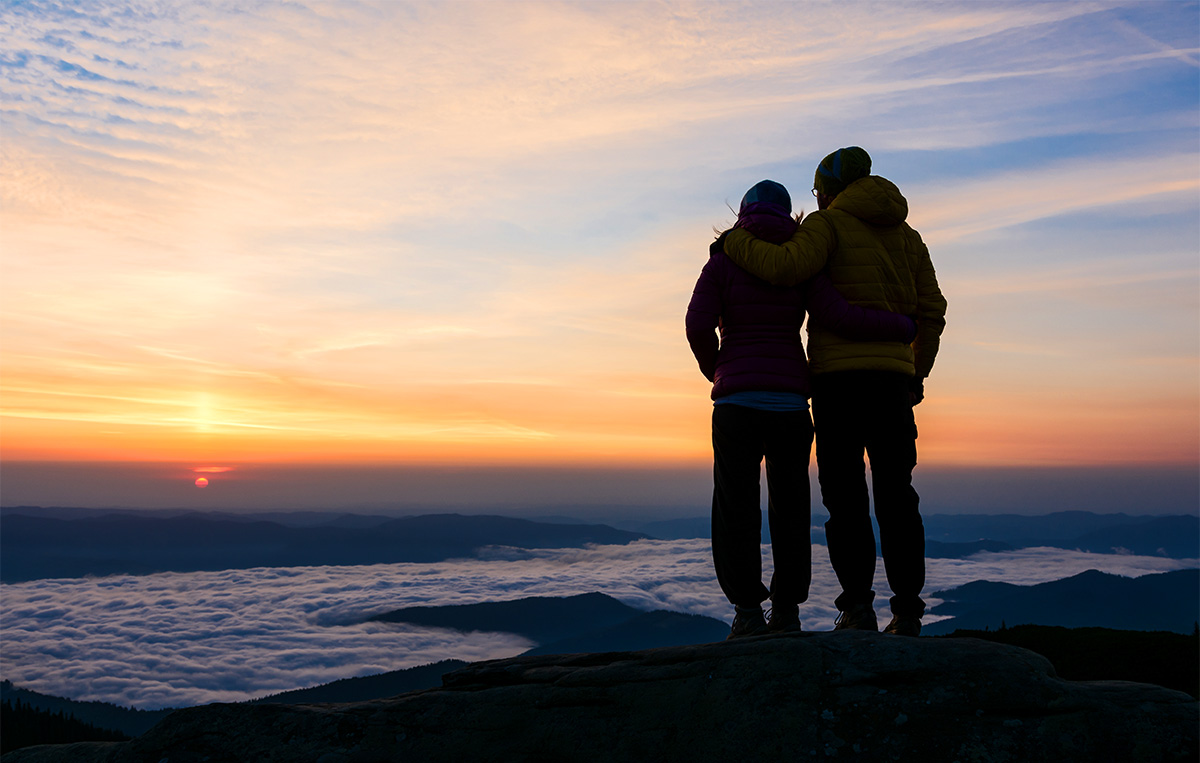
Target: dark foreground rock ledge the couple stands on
x=848, y=696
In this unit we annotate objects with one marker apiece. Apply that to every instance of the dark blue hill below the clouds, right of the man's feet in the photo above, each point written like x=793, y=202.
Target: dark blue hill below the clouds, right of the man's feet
x=1167, y=602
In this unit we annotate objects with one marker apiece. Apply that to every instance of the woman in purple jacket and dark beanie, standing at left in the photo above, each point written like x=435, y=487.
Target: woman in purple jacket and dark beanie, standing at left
x=760, y=390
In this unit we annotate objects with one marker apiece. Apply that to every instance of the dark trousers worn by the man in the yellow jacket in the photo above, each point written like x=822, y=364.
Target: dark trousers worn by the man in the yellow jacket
x=857, y=411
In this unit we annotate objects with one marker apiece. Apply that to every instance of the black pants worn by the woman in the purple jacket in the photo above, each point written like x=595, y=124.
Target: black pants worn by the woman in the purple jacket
x=742, y=437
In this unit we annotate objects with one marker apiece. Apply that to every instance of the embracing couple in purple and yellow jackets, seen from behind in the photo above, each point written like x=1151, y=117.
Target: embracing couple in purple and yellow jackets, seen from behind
x=875, y=316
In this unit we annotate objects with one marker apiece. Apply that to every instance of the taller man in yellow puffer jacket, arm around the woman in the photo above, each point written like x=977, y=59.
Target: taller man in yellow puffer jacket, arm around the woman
x=863, y=393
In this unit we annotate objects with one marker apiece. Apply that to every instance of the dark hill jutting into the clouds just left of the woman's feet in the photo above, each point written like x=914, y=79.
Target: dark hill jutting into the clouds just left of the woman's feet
x=585, y=623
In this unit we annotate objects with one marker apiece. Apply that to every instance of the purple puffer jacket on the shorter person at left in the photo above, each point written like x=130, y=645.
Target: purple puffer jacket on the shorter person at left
x=760, y=349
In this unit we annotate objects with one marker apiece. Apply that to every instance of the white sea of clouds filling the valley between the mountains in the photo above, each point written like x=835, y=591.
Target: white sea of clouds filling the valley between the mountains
x=185, y=639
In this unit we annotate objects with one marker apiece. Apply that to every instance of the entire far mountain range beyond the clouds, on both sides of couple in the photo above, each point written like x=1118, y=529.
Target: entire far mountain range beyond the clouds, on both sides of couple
x=39, y=543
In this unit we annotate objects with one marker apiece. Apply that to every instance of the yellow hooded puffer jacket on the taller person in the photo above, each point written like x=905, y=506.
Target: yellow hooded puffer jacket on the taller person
x=874, y=259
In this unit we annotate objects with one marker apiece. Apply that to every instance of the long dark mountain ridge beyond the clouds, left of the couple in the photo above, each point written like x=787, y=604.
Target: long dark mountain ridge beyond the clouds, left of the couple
x=37, y=548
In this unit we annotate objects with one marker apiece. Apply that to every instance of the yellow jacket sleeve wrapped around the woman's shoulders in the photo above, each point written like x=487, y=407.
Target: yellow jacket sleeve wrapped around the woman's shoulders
x=784, y=265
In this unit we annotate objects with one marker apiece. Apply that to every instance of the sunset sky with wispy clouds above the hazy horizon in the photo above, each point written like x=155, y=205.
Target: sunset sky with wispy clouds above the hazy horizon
x=242, y=239
